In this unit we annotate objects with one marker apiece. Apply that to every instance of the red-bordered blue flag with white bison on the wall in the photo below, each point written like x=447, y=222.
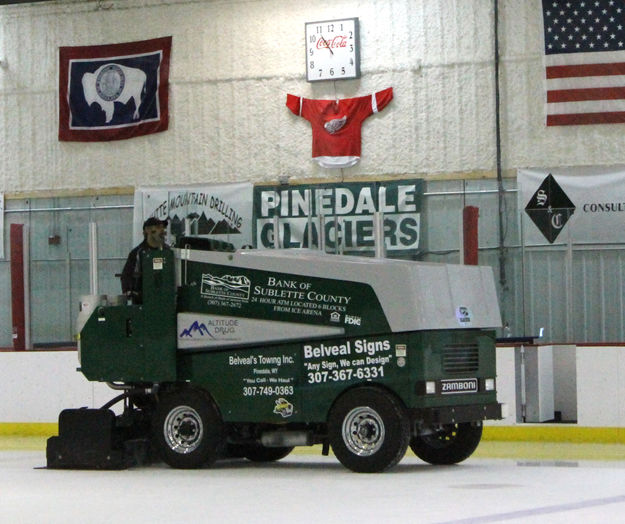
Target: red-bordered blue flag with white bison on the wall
x=113, y=92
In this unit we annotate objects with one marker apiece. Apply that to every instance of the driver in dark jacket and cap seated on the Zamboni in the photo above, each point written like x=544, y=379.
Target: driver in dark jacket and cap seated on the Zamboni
x=154, y=234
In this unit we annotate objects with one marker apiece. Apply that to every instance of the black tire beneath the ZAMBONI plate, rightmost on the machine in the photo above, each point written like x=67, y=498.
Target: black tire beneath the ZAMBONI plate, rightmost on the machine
x=451, y=444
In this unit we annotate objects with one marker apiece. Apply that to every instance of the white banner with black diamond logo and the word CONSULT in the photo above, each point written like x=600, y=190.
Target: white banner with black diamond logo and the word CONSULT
x=585, y=204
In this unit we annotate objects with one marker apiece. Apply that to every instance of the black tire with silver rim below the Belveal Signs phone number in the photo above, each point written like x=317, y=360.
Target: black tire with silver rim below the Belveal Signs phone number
x=368, y=430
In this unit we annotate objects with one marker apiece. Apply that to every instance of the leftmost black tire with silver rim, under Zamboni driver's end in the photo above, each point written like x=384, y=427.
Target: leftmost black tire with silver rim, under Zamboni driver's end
x=187, y=429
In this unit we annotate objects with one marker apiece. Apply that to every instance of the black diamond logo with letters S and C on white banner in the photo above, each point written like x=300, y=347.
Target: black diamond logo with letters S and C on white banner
x=550, y=208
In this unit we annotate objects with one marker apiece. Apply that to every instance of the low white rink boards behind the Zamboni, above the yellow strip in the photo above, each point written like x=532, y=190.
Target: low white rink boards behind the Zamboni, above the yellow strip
x=35, y=386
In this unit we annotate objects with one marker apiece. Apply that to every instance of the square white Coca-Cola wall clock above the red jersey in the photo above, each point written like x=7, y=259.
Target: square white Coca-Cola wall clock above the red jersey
x=332, y=51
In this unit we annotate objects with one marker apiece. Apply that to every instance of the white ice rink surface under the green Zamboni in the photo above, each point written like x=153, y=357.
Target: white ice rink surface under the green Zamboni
x=307, y=488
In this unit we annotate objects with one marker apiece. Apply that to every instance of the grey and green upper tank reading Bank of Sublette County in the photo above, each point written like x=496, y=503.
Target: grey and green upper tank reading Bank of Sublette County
x=245, y=297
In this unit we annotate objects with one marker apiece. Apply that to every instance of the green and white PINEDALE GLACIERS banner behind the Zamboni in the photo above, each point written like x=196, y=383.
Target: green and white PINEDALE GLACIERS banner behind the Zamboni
x=346, y=212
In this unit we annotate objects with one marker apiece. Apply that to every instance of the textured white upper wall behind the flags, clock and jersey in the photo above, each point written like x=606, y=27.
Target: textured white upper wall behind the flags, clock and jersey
x=234, y=61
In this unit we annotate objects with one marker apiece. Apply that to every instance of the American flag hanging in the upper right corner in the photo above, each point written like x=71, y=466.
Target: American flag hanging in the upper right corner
x=585, y=61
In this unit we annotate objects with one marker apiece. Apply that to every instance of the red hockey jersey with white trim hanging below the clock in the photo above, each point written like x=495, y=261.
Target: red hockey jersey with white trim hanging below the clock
x=336, y=124
